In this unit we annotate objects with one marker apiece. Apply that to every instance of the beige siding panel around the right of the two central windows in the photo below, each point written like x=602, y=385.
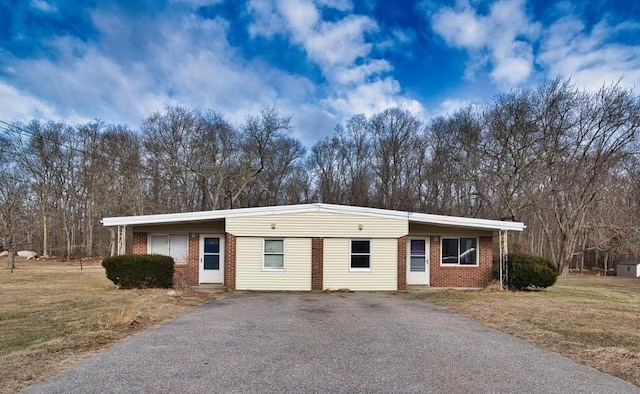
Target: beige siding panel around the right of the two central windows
x=384, y=266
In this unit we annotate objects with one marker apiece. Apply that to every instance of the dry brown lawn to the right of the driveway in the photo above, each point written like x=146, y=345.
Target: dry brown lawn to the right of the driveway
x=593, y=320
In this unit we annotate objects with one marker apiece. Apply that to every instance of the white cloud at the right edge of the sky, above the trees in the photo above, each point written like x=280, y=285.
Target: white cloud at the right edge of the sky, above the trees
x=591, y=58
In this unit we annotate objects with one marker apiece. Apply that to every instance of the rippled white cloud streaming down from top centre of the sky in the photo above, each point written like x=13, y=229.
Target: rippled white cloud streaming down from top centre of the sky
x=357, y=82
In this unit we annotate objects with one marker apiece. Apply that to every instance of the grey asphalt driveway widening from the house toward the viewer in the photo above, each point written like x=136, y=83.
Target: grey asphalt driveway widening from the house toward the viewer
x=340, y=343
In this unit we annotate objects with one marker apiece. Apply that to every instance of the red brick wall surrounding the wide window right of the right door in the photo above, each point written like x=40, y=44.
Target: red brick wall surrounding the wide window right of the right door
x=460, y=276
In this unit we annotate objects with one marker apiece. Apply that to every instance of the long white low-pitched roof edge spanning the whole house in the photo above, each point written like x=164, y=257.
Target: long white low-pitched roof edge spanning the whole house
x=442, y=220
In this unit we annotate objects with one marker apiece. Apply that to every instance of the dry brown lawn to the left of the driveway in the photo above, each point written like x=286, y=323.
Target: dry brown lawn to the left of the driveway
x=53, y=315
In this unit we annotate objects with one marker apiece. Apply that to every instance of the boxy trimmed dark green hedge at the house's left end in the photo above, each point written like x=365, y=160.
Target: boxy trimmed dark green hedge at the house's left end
x=140, y=271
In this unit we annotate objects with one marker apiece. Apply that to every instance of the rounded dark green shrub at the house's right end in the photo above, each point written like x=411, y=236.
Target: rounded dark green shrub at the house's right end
x=529, y=271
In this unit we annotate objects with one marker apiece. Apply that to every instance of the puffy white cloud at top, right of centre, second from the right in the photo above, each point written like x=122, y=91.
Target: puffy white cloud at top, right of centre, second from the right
x=502, y=38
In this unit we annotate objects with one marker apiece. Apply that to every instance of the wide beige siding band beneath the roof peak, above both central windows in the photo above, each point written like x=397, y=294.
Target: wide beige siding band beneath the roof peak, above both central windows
x=317, y=224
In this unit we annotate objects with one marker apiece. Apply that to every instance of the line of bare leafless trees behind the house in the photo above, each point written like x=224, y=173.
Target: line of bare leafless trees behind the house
x=561, y=159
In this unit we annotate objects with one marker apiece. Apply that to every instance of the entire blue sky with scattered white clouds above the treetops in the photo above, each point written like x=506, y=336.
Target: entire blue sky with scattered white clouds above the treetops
x=321, y=61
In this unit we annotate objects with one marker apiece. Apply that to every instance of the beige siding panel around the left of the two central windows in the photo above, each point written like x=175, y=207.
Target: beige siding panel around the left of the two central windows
x=297, y=265
